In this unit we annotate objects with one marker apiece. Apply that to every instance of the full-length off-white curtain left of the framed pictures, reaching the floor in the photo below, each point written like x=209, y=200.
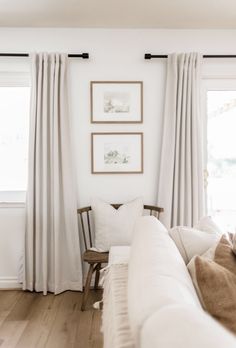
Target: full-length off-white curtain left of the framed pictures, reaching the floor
x=52, y=260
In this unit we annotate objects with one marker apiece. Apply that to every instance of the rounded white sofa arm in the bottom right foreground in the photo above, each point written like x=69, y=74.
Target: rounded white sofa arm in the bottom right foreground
x=181, y=326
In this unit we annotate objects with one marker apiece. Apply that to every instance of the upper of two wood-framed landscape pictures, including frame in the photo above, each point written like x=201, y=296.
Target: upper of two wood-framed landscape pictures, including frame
x=116, y=102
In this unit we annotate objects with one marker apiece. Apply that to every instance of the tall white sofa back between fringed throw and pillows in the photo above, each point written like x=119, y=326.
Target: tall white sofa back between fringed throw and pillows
x=157, y=274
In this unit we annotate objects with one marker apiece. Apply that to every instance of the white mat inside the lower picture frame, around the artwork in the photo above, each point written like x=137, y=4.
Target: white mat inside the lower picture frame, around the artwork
x=129, y=145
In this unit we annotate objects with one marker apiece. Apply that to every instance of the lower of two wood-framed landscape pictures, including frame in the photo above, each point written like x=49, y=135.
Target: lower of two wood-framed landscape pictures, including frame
x=117, y=153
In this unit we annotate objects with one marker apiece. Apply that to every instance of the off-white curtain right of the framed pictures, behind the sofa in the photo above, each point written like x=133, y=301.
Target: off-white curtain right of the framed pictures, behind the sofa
x=181, y=186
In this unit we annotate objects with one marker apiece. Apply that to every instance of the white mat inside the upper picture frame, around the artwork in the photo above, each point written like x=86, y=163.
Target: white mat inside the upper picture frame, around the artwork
x=133, y=90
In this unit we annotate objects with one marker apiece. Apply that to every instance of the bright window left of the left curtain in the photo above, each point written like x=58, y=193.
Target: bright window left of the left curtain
x=14, y=134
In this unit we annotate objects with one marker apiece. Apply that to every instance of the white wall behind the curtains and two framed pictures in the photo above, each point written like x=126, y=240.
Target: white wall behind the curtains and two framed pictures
x=114, y=55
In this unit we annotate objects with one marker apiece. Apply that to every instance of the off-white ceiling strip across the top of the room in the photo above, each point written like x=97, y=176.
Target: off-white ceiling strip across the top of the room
x=172, y=14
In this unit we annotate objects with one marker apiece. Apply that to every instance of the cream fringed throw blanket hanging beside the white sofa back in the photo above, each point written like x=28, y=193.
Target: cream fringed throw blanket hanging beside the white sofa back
x=116, y=328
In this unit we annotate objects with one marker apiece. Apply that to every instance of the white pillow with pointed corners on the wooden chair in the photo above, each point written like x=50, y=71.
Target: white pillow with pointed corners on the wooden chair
x=115, y=226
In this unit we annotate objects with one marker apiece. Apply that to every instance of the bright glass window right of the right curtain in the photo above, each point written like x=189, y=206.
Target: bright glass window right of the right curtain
x=221, y=151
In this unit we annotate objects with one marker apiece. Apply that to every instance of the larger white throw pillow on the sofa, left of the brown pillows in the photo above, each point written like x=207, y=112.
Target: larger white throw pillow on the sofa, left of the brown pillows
x=191, y=241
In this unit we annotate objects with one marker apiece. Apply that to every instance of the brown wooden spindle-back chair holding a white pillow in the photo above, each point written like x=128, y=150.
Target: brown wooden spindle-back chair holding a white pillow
x=93, y=258
